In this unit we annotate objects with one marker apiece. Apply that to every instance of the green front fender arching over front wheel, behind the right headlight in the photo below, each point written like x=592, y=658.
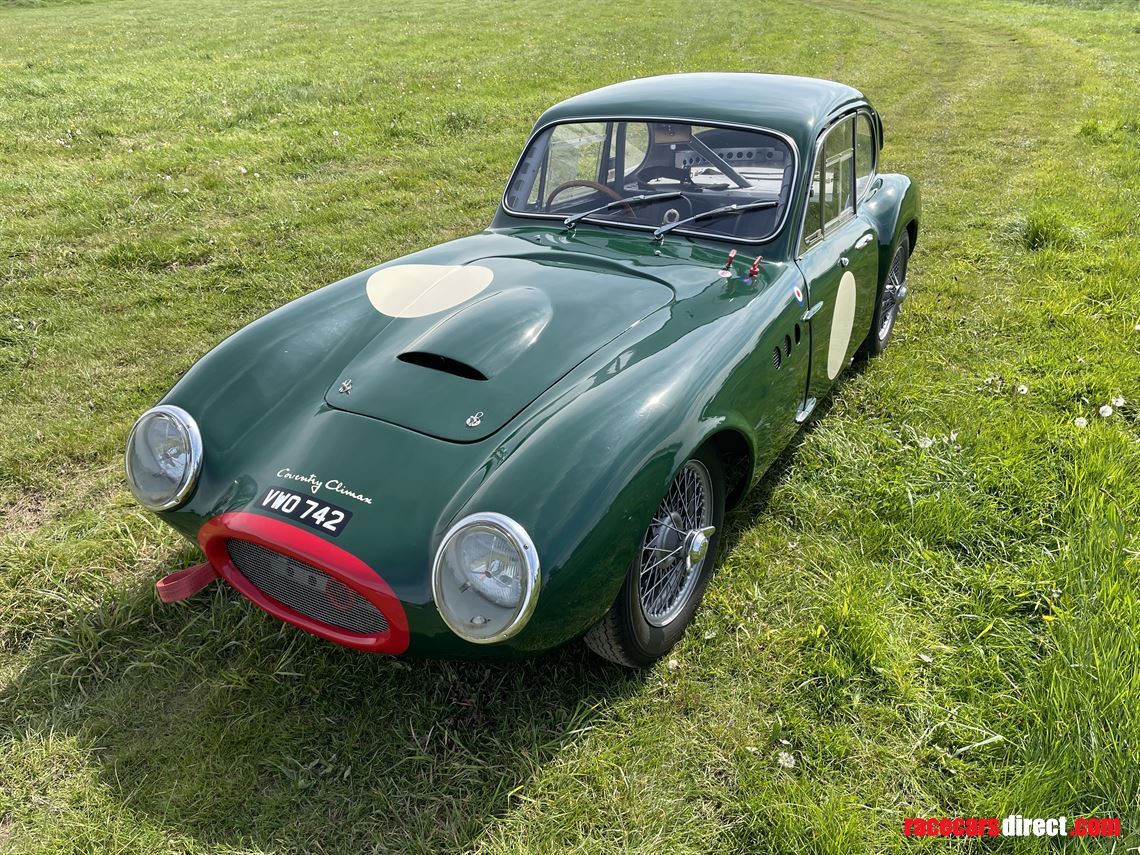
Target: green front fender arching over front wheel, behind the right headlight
x=587, y=471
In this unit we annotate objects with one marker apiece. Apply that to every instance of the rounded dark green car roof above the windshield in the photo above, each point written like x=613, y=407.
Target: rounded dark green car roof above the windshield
x=795, y=107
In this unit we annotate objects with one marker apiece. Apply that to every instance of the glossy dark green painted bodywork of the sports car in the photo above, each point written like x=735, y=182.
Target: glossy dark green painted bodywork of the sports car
x=645, y=355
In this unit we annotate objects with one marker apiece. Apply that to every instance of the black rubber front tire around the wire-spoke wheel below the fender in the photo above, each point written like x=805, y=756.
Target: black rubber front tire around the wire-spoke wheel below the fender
x=628, y=636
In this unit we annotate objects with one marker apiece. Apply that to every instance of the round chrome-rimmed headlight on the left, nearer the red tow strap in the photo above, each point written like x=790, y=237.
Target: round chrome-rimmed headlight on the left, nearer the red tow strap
x=164, y=458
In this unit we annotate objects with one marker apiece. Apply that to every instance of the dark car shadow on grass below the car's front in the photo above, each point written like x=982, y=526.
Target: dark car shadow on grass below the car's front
x=229, y=728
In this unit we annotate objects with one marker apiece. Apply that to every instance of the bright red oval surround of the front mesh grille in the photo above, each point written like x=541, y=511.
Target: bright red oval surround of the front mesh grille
x=307, y=549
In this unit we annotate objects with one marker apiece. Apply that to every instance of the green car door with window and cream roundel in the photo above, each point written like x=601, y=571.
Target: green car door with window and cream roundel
x=840, y=259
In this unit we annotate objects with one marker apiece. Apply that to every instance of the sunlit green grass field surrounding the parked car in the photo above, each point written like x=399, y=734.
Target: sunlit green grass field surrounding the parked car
x=932, y=604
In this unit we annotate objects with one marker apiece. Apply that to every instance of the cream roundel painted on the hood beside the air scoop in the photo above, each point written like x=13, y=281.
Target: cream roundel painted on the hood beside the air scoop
x=412, y=291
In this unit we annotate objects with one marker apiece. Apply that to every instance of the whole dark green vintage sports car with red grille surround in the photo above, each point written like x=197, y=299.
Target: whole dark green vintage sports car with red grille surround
x=531, y=435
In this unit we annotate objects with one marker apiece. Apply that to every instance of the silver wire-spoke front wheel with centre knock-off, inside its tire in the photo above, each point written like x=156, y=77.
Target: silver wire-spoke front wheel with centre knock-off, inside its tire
x=672, y=558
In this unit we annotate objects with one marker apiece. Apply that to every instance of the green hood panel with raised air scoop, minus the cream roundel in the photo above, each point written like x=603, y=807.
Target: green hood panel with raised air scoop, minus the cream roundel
x=462, y=373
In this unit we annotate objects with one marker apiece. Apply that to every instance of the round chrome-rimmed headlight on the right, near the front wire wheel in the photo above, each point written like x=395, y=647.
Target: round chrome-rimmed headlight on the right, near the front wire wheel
x=486, y=579
